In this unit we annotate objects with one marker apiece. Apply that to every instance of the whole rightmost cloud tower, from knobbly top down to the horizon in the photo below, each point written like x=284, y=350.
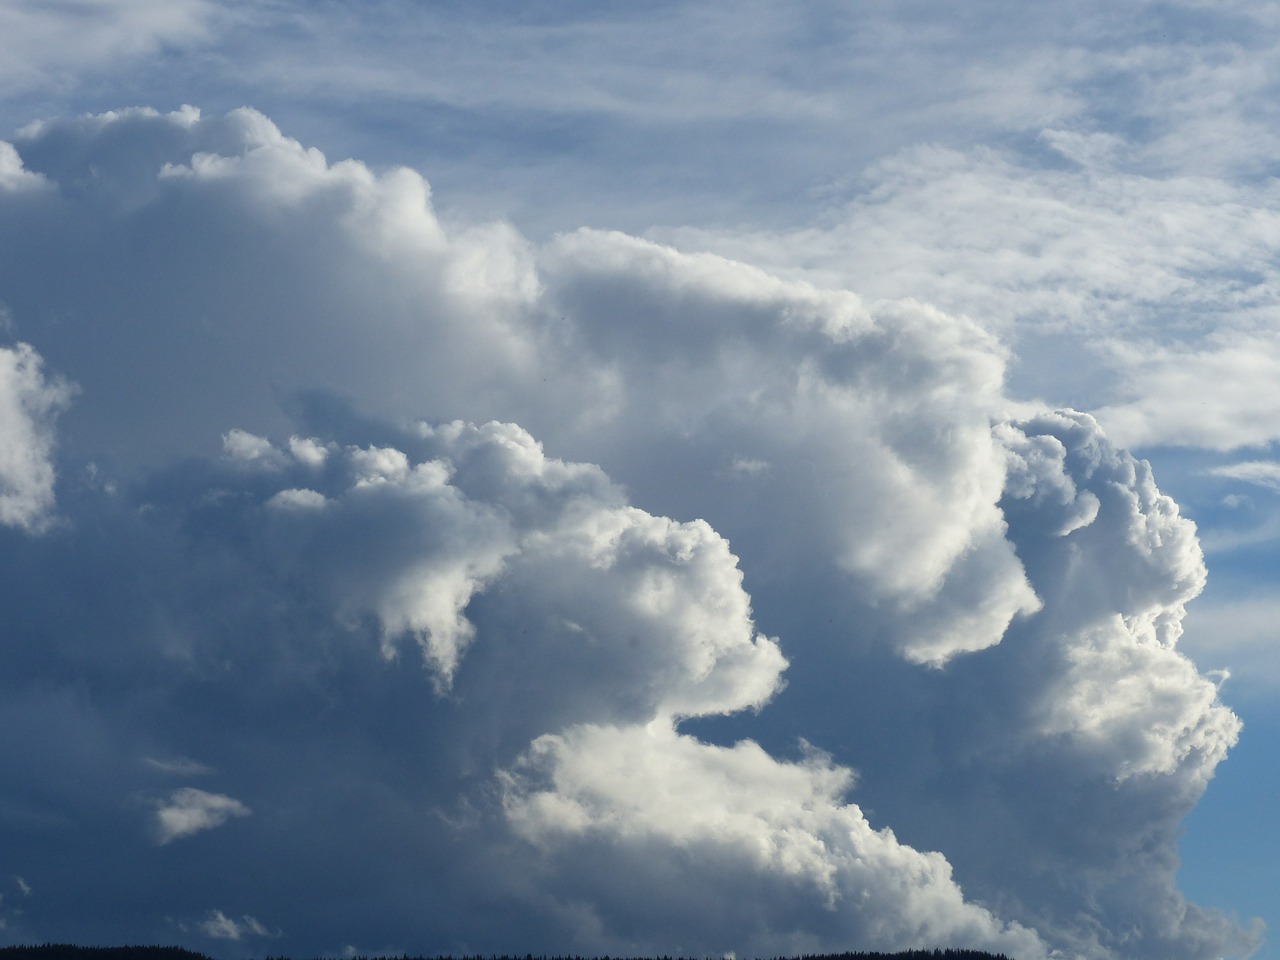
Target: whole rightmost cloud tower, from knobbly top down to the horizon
x=1090, y=706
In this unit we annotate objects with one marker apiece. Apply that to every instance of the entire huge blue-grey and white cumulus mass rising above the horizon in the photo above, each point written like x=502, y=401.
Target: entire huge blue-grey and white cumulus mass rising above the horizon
x=547, y=598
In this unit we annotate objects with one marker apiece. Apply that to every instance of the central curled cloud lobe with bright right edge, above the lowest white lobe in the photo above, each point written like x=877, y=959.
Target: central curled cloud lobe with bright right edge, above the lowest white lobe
x=644, y=612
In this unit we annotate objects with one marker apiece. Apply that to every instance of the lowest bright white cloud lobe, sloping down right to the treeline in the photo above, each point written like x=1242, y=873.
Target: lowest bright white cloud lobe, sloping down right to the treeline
x=792, y=867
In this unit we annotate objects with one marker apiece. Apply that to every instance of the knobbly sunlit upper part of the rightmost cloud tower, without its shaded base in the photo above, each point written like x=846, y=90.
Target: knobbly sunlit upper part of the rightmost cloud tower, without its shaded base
x=1123, y=687
